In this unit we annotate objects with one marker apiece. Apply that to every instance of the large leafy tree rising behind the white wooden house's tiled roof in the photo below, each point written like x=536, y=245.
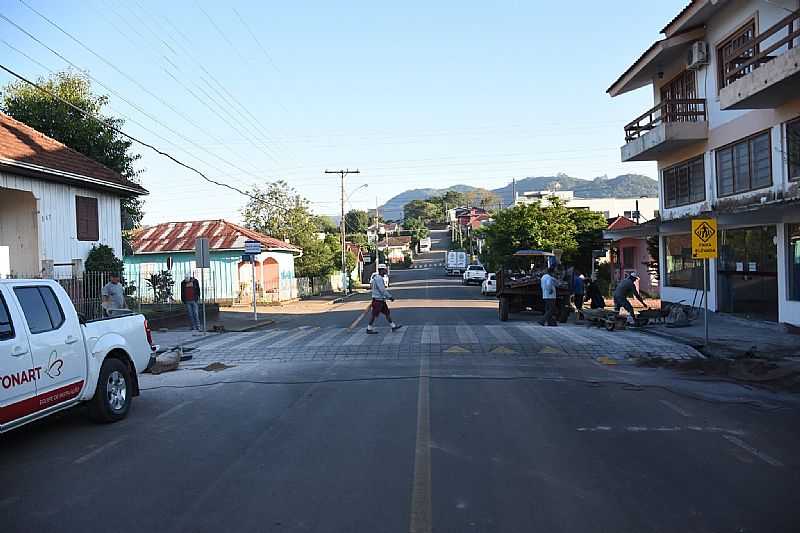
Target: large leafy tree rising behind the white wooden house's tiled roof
x=85, y=135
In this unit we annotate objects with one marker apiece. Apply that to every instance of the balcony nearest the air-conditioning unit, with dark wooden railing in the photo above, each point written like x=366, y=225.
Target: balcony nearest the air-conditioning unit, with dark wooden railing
x=669, y=125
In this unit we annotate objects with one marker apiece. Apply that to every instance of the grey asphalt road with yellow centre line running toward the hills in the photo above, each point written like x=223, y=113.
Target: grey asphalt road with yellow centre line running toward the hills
x=409, y=439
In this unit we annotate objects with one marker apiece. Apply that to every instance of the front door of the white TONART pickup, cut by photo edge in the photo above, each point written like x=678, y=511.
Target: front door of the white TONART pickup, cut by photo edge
x=17, y=372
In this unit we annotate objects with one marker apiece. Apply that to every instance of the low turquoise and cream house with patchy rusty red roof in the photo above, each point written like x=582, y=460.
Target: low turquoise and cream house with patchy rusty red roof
x=229, y=280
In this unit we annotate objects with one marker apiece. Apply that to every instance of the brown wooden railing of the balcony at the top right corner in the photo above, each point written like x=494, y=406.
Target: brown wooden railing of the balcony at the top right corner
x=750, y=56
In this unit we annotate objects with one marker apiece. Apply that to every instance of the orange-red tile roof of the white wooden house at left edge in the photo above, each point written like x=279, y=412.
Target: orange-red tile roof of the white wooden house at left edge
x=25, y=150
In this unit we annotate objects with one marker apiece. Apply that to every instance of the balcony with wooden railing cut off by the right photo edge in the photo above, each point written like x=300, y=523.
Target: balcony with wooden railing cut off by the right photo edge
x=764, y=72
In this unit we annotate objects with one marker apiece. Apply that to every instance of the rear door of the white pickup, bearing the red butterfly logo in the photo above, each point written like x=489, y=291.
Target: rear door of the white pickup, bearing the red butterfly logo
x=56, y=343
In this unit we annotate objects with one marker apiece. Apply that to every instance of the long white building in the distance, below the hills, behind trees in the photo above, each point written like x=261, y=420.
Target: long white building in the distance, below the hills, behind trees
x=610, y=207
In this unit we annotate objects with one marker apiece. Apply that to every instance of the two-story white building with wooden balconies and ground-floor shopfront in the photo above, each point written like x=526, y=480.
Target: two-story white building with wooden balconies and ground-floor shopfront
x=725, y=133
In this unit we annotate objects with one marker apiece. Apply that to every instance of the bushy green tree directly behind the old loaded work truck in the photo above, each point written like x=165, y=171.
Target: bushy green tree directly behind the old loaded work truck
x=528, y=227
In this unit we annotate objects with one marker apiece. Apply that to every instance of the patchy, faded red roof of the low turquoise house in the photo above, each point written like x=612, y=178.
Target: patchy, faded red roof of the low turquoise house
x=221, y=234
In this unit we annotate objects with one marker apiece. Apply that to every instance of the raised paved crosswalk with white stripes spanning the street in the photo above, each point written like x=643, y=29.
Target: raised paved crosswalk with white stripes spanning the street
x=309, y=343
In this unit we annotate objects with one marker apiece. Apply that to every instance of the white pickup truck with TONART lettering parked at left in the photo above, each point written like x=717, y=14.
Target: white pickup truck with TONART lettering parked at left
x=51, y=359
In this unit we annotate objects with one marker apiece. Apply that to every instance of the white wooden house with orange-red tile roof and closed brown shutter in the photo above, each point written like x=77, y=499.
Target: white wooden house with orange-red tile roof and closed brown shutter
x=55, y=203
